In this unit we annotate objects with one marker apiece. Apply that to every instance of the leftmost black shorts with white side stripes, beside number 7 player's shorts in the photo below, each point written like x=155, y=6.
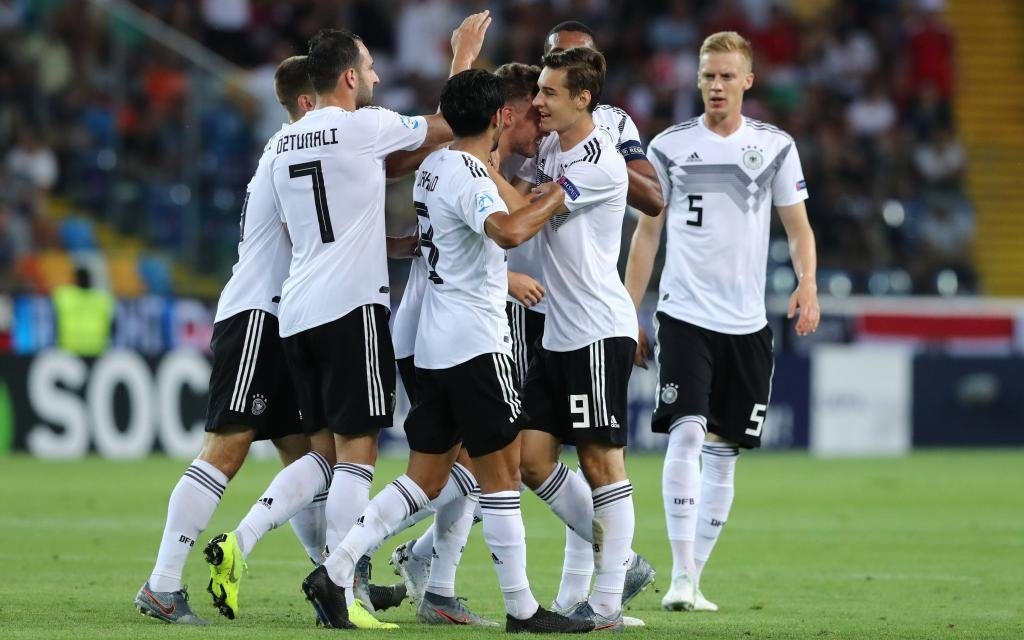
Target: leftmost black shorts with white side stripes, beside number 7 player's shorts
x=250, y=386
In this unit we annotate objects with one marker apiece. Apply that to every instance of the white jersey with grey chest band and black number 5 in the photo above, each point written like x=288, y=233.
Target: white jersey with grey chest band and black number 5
x=719, y=193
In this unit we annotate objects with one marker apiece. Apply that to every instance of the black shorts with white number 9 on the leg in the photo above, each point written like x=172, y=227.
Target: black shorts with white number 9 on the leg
x=582, y=395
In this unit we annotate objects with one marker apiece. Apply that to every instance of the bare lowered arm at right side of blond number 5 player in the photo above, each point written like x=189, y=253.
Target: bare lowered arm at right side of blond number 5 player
x=805, y=264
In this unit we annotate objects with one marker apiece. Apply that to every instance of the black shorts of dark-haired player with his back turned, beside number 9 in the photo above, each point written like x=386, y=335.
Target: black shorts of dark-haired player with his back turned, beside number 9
x=477, y=403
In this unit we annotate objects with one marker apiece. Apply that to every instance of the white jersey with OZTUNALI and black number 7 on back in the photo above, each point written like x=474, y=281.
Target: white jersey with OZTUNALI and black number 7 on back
x=328, y=173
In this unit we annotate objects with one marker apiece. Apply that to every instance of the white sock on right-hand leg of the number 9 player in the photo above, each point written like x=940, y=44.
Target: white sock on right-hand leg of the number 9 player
x=614, y=525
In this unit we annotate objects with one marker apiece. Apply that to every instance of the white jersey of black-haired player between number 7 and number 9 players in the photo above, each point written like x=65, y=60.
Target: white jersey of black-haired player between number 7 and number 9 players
x=463, y=313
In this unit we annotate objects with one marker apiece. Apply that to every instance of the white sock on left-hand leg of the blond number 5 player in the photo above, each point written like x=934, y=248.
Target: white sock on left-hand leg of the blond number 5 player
x=681, y=490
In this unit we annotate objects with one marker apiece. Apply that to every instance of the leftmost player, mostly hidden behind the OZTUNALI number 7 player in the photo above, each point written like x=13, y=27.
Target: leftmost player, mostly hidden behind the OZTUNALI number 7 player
x=251, y=395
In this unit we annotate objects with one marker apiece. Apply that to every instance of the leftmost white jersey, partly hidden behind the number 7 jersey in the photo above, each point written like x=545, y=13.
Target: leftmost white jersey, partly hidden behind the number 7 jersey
x=264, y=248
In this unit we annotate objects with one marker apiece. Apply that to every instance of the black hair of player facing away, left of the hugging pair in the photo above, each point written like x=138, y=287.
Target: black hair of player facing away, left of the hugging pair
x=471, y=99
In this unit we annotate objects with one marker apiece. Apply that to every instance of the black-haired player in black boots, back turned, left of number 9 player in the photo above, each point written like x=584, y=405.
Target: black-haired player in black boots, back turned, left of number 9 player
x=467, y=395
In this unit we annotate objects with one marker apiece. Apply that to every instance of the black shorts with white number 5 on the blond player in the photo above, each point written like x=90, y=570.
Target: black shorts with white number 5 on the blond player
x=723, y=377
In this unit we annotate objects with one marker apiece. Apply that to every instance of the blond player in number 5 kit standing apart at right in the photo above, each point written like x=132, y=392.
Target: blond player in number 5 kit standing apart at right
x=721, y=173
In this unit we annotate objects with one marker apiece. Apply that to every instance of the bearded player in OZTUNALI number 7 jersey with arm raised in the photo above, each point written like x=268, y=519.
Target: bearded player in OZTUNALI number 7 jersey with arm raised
x=328, y=174
